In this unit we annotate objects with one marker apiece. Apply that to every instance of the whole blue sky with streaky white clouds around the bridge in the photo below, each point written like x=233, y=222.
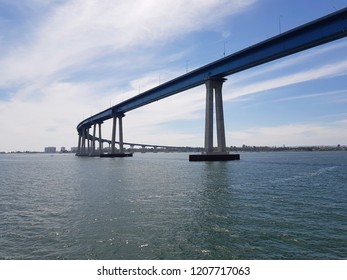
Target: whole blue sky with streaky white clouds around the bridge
x=64, y=60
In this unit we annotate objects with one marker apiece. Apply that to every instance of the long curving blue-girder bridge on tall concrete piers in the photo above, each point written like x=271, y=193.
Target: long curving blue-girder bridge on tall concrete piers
x=309, y=35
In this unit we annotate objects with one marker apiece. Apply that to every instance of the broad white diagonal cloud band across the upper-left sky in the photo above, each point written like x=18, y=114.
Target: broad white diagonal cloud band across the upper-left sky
x=80, y=31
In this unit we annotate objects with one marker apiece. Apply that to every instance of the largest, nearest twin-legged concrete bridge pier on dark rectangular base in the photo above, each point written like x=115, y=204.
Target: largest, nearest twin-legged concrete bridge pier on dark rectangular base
x=214, y=89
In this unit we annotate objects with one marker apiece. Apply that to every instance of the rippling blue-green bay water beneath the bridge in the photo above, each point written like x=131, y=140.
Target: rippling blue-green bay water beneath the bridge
x=275, y=205
